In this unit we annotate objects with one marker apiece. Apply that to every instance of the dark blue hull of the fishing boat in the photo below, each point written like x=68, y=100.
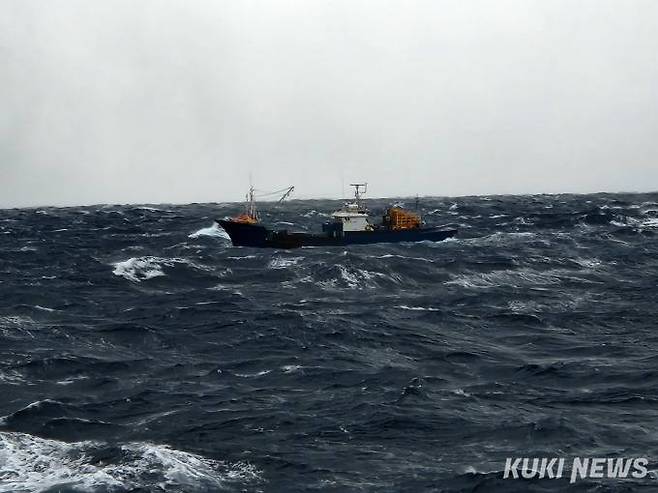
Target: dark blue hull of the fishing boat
x=256, y=235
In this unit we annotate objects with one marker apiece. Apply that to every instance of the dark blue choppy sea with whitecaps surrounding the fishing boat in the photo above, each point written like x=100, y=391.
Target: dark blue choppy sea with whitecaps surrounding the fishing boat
x=141, y=352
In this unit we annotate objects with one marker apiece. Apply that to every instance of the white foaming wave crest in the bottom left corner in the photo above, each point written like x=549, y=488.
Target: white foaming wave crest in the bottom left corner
x=32, y=464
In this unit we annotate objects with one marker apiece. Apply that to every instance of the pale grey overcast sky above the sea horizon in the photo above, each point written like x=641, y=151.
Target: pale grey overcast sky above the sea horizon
x=178, y=101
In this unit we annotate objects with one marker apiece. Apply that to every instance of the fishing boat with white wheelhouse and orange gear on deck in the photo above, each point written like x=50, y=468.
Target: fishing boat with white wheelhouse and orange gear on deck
x=350, y=225
